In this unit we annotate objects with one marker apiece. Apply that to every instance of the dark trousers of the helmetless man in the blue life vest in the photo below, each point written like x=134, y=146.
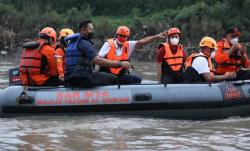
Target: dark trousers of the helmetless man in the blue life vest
x=97, y=79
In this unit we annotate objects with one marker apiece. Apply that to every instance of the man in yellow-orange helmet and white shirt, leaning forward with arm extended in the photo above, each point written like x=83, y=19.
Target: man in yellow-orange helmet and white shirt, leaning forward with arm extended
x=199, y=65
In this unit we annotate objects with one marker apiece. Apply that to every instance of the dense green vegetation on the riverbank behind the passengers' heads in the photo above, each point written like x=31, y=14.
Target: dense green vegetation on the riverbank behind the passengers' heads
x=21, y=19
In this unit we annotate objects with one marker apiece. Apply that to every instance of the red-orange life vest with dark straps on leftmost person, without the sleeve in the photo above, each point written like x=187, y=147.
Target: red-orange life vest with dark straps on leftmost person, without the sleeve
x=31, y=60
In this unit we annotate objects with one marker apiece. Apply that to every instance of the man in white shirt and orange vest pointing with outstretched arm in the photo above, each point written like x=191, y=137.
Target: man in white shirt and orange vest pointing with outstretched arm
x=120, y=49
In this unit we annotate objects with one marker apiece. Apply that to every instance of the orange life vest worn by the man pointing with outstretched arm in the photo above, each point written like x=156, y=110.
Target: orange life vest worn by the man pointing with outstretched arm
x=112, y=55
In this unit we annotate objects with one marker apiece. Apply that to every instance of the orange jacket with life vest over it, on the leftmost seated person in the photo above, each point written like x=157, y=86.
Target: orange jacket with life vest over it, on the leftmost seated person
x=38, y=64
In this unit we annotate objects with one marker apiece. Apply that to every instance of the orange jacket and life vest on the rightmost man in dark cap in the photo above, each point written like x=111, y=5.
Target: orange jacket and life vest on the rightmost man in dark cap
x=231, y=63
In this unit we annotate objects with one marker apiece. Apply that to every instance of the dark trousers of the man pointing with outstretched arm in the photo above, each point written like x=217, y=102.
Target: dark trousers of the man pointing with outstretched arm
x=129, y=79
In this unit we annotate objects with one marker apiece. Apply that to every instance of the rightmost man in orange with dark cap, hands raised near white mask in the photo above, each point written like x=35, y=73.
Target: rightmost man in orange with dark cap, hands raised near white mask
x=231, y=55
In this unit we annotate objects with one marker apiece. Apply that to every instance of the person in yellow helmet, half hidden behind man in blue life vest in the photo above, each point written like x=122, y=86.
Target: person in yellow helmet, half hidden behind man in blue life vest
x=60, y=51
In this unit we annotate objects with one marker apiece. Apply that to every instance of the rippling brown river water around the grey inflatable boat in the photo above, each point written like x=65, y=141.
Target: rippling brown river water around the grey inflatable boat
x=106, y=133
